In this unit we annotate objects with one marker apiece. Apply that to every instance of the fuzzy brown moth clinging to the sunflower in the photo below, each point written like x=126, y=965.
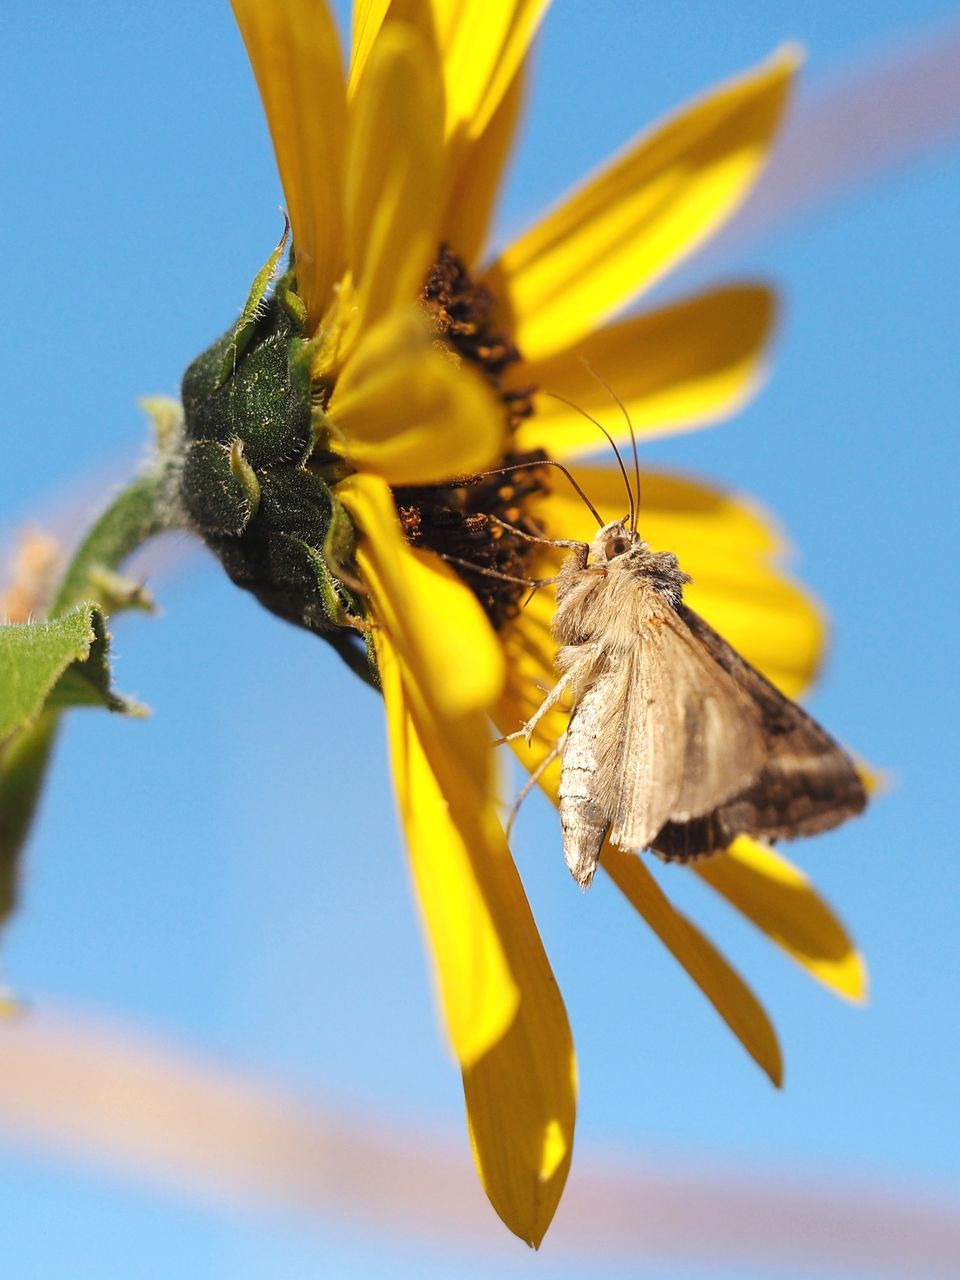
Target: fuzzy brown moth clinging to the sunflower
x=675, y=743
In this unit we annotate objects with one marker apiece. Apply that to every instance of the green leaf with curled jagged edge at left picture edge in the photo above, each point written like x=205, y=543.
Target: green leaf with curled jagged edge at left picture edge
x=60, y=664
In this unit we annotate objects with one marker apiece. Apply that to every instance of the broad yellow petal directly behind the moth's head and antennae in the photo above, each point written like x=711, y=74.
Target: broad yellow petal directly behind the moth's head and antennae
x=729, y=547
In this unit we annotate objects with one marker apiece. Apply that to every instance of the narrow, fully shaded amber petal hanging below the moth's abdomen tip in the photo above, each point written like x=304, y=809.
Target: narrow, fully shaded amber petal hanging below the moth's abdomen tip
x=716, y=979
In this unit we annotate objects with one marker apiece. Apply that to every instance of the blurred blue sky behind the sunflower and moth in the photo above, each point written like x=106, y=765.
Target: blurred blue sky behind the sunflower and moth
x=227, y=879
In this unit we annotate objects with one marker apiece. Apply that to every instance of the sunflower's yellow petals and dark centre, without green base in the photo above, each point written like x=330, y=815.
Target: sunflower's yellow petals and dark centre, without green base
x=431, y=363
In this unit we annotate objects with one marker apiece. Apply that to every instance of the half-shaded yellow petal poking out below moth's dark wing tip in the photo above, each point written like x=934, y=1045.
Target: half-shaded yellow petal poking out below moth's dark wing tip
x=781, y=902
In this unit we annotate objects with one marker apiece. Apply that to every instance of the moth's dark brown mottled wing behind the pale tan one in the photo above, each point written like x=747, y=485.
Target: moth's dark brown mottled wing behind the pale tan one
x=807, y=783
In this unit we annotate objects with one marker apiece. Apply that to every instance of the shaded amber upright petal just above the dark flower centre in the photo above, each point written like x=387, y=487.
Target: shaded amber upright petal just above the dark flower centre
x=478, y=167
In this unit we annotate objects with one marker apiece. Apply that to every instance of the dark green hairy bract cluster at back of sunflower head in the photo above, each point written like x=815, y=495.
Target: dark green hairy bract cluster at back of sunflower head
x=252, y=482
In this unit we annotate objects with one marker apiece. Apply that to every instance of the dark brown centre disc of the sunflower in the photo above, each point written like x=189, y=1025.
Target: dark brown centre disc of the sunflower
x=461, y=522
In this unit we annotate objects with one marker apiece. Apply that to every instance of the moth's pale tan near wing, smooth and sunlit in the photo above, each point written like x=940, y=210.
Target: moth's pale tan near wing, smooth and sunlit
x=682, y=737
